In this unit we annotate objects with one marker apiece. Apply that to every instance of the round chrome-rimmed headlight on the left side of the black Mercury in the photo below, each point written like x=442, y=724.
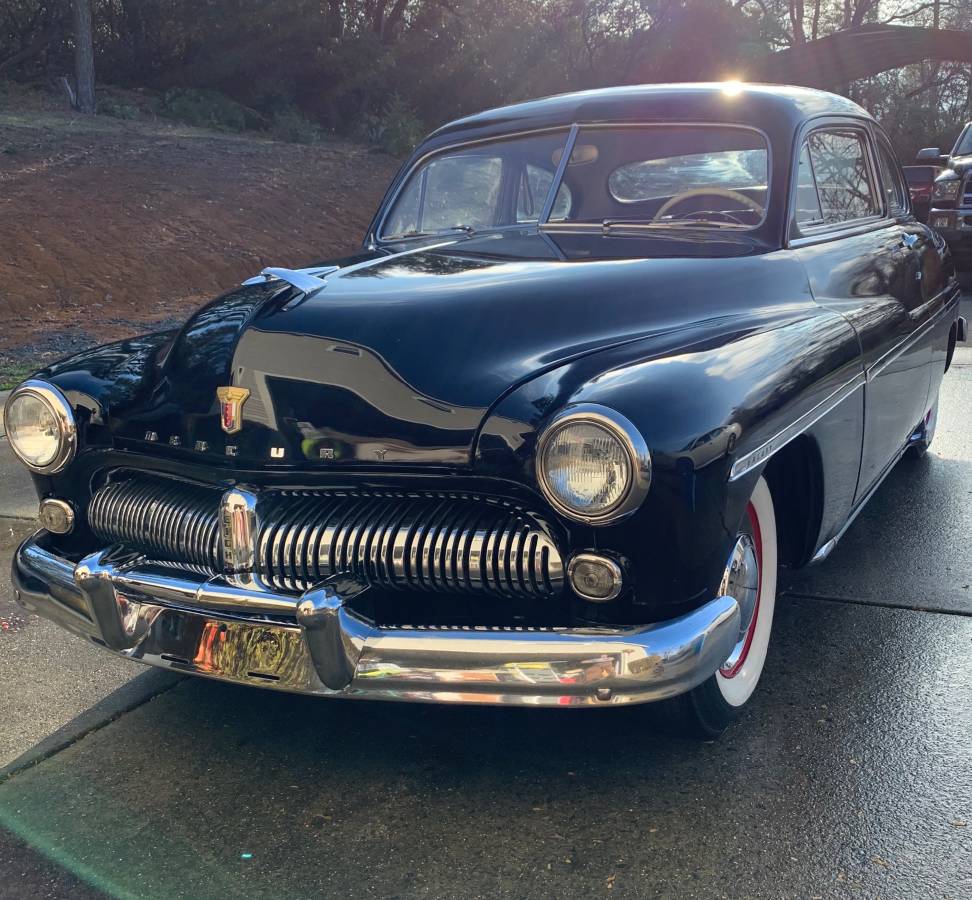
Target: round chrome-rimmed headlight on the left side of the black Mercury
x=40, y=426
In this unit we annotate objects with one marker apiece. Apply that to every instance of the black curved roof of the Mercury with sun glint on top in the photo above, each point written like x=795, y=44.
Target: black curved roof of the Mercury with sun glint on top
x=760, y=105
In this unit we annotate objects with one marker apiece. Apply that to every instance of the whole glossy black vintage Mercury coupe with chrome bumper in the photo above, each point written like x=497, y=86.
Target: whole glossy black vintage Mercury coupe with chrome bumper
x=603, y=364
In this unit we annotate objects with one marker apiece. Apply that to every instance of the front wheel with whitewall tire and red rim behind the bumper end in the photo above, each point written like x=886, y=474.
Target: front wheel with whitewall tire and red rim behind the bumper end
x=750, y=577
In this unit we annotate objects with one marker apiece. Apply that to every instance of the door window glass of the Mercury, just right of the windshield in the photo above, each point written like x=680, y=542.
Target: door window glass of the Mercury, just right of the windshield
x=844, y=188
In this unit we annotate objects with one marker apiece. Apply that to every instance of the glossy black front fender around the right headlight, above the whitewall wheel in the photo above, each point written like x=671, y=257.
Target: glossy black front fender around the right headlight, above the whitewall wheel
x=717, y=397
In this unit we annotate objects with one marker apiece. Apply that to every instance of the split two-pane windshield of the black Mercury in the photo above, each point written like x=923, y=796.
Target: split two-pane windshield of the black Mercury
x=704, y=176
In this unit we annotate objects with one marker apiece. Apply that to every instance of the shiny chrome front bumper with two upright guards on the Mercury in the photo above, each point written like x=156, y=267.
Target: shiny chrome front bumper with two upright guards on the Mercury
x=315, y=644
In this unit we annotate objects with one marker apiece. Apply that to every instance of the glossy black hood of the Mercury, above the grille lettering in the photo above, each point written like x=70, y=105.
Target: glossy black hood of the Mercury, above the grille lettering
x=398, y=358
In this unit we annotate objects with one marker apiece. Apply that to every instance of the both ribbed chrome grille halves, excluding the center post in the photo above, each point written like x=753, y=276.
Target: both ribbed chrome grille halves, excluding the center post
x=414, y=541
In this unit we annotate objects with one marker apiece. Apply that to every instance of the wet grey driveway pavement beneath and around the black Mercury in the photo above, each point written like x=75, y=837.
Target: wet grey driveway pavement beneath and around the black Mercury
x=851, y=776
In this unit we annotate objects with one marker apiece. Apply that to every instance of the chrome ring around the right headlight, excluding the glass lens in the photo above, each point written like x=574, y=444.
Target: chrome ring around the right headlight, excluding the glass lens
x=631, y=440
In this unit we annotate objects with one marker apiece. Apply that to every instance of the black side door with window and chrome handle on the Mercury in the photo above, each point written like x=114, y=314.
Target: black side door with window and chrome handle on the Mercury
x=863, y=259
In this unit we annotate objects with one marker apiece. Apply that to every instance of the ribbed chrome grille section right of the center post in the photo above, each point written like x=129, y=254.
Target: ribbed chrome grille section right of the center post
x=453, y=544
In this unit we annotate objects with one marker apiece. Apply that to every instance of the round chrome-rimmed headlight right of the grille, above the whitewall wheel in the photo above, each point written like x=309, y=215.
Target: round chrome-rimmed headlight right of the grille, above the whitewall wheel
x=593, y=464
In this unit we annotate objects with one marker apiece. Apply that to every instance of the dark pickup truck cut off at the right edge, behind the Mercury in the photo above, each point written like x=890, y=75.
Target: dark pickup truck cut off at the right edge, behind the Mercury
x=951, y=211
